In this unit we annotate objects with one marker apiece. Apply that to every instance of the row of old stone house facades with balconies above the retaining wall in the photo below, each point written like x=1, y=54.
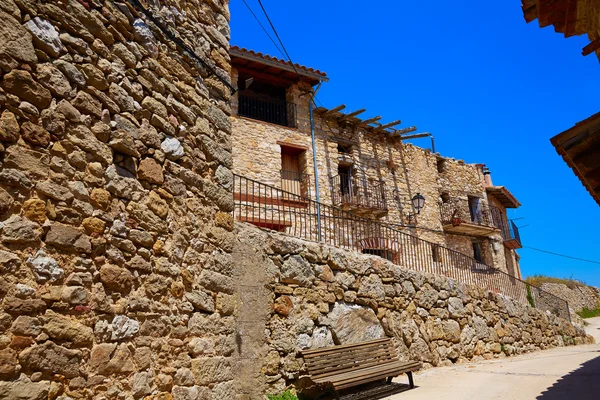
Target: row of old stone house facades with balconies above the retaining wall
x=363, y=167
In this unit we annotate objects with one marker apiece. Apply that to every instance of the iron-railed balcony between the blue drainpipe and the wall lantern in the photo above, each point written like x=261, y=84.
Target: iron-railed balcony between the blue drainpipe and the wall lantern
x=358, y=196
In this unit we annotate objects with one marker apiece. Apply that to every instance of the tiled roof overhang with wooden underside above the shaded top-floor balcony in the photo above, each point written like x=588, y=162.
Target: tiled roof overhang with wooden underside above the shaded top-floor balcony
x=272, y=68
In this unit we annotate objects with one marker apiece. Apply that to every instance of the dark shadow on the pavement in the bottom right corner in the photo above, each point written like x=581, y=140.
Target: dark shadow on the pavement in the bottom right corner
x=581, y=384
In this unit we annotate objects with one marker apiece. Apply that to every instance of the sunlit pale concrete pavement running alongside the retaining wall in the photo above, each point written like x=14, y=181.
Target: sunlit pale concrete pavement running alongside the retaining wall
x=560, y=373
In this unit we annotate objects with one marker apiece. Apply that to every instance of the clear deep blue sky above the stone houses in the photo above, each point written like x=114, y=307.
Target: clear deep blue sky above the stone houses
x=488, y=86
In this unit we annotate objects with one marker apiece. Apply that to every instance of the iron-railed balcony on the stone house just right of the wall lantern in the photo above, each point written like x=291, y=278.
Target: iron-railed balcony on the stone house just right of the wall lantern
x=461, y=216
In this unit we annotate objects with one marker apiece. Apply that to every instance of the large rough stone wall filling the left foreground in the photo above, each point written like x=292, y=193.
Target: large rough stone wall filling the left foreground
x=115, y=224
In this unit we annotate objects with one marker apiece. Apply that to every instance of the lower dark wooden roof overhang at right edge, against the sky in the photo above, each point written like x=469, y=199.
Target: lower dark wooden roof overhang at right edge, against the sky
x=579, y=146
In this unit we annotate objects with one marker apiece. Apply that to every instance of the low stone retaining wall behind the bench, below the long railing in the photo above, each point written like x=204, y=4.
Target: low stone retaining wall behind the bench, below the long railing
x=320, y=296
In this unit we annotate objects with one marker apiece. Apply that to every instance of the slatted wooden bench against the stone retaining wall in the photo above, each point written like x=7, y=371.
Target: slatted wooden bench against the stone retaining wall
x=345, y=366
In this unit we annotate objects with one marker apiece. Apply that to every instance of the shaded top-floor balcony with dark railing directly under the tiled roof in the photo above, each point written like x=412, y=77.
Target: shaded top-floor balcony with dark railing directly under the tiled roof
x=268, y=109
